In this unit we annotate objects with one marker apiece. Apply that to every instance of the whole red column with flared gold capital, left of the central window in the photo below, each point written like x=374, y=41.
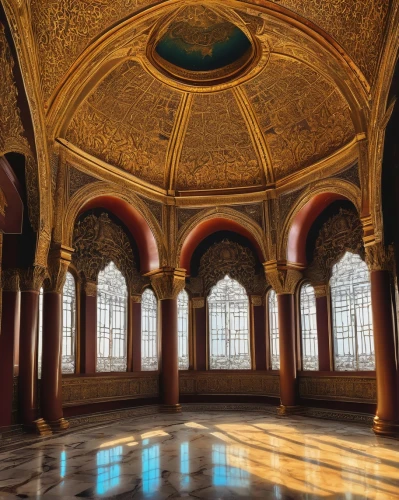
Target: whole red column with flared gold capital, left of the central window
x=167, y=283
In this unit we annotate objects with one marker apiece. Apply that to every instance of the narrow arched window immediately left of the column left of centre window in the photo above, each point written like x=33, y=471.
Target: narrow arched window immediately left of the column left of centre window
x=149, y=331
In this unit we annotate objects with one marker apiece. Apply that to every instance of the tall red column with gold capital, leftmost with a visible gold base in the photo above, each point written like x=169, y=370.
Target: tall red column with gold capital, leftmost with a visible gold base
x=30, y=283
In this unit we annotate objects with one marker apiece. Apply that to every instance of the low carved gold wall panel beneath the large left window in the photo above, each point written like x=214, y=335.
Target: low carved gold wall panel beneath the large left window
x=80, y=390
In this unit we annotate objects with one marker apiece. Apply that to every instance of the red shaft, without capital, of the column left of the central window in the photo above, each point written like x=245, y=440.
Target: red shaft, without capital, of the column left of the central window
x=170, y=366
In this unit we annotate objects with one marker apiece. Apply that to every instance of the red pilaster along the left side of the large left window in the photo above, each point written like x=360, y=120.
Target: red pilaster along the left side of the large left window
x=88, y=325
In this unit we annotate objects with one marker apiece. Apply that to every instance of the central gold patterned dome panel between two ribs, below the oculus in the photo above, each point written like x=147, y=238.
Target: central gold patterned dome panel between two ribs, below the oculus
x=217, y=150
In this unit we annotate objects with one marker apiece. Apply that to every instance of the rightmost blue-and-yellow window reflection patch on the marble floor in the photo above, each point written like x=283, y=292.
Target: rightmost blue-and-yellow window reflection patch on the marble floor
x=227, y=462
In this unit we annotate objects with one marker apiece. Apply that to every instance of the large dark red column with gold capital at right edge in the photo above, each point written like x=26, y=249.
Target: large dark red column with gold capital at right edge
x=386, y=421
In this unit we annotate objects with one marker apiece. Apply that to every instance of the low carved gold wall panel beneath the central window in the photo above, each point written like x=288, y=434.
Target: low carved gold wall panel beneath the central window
x=213, y=382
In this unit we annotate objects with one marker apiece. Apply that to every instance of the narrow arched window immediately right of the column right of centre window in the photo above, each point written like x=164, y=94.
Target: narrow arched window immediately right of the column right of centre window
x=310, y=356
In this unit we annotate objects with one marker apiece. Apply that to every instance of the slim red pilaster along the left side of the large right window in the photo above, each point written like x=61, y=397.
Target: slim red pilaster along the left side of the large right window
x=323, y=327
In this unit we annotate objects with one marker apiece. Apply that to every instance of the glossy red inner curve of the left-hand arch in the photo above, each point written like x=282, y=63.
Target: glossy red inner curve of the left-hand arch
x=137, y=225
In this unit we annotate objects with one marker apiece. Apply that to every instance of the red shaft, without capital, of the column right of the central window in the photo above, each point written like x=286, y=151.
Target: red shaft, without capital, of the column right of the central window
x=286, y=325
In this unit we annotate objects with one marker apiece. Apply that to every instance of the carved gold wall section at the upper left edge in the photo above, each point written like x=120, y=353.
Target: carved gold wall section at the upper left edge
x=11, y=130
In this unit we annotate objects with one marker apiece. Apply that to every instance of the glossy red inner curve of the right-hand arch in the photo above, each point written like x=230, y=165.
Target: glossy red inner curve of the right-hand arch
x=303, y=220
